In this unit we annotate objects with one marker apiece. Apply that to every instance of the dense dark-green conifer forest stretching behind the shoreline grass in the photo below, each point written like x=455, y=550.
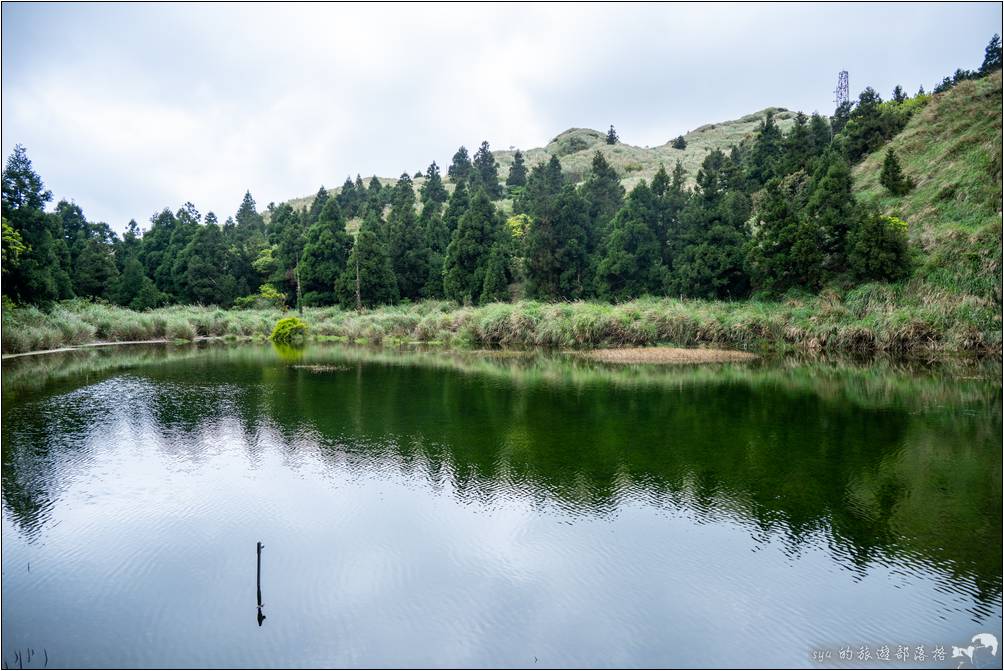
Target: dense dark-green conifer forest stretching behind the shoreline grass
x=775, y=214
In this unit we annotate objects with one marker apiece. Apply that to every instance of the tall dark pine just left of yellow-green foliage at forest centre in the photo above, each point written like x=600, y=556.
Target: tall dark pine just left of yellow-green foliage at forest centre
x=470, y=247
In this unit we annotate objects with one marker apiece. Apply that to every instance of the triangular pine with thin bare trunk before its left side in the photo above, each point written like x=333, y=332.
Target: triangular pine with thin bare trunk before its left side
x=368, y=280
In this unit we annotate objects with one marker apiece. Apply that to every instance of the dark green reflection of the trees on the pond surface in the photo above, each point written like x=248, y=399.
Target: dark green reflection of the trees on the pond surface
x=782, y=453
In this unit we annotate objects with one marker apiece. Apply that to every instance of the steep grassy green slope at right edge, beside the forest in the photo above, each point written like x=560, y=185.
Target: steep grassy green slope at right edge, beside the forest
x=952, y=150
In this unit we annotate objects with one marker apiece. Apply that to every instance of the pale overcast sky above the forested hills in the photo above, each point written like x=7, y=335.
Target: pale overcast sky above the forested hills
x=128, y=109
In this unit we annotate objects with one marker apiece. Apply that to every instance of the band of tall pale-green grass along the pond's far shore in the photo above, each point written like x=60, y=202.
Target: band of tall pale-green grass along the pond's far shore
x=918, y=317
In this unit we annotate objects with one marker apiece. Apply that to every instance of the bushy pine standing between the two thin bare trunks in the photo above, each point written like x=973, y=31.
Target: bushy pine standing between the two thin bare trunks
x=326, y=254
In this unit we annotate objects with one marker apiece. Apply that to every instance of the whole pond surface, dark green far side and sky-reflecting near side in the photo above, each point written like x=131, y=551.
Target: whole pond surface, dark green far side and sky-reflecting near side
x=429, y=510
